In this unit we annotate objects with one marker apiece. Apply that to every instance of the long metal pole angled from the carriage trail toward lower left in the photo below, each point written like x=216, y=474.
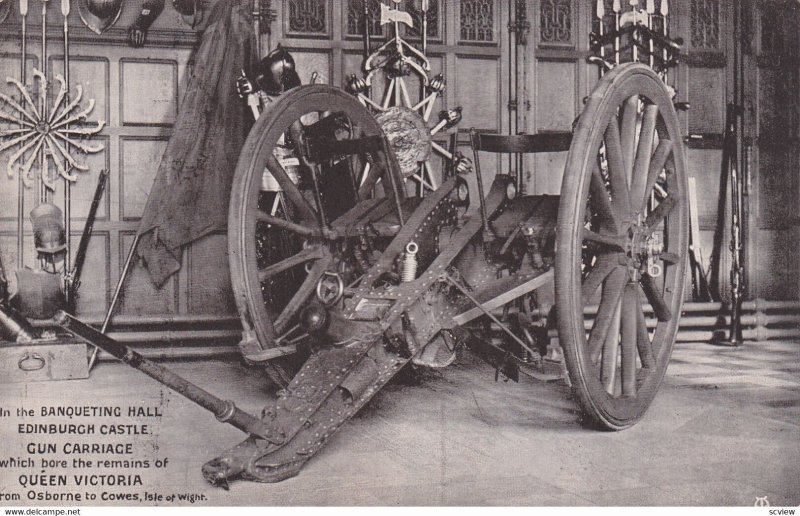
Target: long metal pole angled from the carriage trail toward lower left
x=224, y=410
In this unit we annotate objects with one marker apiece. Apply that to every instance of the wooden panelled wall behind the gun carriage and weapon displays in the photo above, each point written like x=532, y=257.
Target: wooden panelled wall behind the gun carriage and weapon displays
x=137, y=92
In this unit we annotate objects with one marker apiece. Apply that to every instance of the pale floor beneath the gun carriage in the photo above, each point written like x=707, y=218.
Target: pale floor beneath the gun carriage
x=723, y=430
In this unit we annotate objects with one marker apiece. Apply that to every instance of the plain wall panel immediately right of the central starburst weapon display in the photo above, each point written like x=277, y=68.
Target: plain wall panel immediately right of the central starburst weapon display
x=477, y=88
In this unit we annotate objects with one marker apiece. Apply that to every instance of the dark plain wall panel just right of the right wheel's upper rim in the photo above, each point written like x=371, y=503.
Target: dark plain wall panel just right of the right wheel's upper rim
x=706, y=87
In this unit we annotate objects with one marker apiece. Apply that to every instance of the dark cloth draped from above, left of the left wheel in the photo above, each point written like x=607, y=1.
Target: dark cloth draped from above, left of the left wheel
x=190, y=194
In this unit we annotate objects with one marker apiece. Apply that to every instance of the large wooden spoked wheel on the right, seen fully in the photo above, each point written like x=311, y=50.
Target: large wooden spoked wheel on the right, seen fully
x=622, y=243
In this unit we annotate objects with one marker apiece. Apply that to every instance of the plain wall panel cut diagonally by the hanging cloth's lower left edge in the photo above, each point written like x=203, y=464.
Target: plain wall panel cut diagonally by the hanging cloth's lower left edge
x=139, y=161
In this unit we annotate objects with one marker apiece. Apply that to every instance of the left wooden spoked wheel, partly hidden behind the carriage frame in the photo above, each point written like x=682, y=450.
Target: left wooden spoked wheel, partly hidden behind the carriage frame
x=278, y=240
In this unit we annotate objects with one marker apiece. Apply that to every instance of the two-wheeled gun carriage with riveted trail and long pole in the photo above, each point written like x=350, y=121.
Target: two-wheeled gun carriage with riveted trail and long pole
x=342, y=278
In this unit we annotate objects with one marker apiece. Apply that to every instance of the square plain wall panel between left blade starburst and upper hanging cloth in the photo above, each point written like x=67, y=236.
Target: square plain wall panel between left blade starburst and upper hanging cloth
x=149, y=92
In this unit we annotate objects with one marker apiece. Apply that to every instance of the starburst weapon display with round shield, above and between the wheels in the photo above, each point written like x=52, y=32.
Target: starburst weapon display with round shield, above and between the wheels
x=404, y=120
